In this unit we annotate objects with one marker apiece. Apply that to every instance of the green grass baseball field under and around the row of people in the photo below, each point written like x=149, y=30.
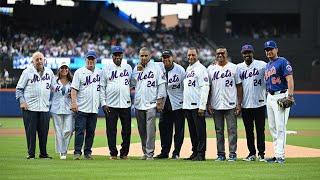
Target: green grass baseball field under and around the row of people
x=14, y=165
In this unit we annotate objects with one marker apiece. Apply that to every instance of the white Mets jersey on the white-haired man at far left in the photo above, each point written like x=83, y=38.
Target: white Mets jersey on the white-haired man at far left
x=36, y=88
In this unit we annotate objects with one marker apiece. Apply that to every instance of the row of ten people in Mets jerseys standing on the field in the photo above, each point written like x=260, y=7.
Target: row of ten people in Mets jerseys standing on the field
x=224, y=89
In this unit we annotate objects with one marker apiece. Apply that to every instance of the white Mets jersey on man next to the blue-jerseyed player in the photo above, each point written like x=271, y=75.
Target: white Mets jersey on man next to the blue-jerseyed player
x=254, y=86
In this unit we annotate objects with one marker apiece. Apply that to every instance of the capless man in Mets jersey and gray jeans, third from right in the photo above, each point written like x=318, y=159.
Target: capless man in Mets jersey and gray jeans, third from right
x=226, y=97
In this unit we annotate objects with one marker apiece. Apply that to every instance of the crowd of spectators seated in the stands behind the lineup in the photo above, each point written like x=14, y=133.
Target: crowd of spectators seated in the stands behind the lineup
x=52, y=45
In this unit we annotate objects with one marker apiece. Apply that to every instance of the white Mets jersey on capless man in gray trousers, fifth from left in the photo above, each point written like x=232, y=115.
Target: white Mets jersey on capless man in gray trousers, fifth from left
x=147, y=86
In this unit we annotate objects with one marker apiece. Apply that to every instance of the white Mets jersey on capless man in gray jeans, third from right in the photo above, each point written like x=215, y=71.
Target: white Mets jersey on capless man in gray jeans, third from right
x=223, y=80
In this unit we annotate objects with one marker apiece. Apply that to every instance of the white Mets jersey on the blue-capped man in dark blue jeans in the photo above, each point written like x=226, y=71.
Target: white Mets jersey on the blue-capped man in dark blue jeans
x=87, y=83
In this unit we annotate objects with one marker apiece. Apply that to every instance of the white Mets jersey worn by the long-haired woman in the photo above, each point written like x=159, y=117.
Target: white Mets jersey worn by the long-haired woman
x=61, y=99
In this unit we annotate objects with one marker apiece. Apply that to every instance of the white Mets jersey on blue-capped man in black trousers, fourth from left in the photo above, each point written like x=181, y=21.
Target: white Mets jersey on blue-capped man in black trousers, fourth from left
x=115, y=85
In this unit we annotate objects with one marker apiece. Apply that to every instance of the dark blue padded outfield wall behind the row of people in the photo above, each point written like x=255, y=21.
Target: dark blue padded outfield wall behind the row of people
x=307, y=105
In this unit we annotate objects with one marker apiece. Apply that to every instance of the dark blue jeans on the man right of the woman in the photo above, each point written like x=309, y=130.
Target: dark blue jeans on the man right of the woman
x=84, y=122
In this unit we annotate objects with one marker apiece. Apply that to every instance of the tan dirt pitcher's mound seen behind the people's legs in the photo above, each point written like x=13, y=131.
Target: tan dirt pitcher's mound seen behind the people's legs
x=291, y=151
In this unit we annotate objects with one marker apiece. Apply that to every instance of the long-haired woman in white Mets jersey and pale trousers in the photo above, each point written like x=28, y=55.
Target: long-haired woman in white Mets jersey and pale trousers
x=61, y=109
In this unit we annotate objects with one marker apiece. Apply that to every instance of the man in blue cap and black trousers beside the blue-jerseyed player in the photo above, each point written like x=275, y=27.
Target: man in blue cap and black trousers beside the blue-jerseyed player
x=251, y=72
